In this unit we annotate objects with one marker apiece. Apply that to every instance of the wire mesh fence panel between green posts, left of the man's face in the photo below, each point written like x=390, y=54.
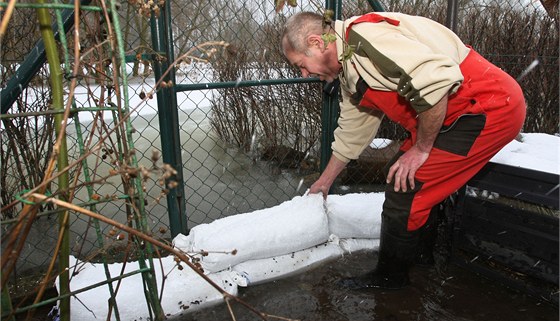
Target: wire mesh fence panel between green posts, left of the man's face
x=231, y=134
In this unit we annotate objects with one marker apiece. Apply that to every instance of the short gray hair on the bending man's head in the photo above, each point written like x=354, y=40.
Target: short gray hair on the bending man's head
x=298, y=28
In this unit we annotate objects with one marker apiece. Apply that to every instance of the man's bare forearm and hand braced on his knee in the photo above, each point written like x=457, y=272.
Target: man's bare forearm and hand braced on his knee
x=429, y=125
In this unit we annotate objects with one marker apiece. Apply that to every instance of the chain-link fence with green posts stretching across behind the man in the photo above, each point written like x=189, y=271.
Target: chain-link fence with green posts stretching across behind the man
x=245, y=143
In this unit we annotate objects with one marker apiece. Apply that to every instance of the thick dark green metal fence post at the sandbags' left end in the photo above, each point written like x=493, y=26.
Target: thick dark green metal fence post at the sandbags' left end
x=169, y=118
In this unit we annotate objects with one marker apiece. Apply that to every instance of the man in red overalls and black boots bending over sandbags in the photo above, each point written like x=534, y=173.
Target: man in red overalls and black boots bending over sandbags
x=459, y=109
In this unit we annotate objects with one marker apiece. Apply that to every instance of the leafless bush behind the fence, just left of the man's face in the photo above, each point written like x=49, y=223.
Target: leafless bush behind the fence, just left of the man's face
x=266, y=119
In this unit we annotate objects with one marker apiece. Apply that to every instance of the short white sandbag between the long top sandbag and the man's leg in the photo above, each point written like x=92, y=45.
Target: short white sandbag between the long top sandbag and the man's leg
x=355, y=215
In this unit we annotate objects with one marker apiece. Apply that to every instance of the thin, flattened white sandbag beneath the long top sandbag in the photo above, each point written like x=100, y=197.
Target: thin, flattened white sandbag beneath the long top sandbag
x=265, y=270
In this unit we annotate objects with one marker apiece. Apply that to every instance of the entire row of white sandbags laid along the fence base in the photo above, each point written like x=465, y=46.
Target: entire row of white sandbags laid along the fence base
x=272, y=243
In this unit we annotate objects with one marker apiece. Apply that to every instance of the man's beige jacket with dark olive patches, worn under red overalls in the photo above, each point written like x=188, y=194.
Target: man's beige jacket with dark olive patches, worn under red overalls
x=419, y=58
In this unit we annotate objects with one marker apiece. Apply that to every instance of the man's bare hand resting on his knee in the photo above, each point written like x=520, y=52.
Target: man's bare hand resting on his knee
x=405, y=168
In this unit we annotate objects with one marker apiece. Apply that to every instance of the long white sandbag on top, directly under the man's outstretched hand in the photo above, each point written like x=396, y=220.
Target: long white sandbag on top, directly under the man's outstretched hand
x=289, y=227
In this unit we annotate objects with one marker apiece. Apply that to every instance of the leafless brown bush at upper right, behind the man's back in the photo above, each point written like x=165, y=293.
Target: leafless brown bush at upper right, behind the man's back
x=525, y=45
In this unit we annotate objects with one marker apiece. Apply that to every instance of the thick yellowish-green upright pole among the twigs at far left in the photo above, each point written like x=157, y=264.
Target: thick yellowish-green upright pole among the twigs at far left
x=62, y=157
